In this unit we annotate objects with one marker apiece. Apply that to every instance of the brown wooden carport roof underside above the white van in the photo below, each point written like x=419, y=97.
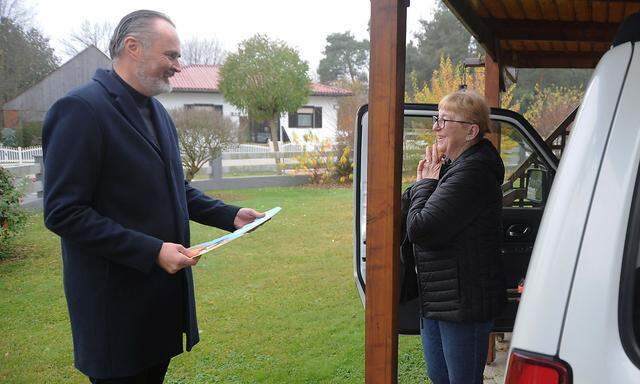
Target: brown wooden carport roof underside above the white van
x=543, y=33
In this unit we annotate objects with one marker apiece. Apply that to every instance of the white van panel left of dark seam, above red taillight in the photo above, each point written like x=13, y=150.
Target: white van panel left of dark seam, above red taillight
x=550, y=274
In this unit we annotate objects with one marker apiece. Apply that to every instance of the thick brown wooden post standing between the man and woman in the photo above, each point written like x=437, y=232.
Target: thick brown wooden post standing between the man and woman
x=386, y=96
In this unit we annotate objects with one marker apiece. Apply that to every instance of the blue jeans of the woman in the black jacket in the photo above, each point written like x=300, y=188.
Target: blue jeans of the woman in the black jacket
x=455, y=353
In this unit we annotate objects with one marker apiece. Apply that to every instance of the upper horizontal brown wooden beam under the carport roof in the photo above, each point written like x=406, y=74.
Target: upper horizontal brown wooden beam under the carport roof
x=508, y=29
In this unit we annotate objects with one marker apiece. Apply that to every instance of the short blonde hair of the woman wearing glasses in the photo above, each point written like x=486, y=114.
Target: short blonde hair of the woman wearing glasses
x=470, y=107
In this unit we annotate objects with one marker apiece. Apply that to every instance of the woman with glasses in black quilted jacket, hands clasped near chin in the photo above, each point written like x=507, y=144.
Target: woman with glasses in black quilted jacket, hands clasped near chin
x=454, y=224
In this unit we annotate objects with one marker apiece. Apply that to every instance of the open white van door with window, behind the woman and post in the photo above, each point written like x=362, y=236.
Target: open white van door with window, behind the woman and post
x=530, y=167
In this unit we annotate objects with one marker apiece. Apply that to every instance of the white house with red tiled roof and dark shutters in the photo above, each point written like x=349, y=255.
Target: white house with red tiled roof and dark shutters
x=196, y=86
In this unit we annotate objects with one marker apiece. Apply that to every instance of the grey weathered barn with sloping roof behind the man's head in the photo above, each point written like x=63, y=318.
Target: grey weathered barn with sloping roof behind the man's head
x=31, y=105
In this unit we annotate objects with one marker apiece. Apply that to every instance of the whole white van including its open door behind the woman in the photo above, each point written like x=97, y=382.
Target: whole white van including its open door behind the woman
x=579, y=316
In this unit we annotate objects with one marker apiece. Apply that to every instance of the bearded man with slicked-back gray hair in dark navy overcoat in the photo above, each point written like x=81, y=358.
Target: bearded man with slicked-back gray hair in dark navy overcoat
x=114, y=191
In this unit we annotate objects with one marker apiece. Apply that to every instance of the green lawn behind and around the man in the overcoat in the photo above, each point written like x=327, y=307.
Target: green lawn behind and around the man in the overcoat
x=277, y=306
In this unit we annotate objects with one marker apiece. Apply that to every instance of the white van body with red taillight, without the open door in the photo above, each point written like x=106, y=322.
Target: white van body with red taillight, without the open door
x=579, y=321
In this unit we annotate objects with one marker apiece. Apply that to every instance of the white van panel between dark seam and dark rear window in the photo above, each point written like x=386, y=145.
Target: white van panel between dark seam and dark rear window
x=591, y=323
